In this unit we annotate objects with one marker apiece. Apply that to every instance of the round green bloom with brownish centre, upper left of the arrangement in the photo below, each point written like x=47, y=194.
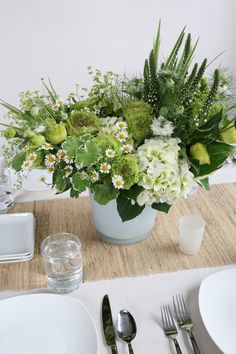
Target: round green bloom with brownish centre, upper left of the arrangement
x=84, y=122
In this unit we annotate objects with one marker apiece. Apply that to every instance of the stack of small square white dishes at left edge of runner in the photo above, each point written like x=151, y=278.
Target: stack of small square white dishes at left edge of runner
x=16, y=235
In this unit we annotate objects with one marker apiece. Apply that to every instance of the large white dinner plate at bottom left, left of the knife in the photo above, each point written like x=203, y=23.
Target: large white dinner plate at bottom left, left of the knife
x=46, y=324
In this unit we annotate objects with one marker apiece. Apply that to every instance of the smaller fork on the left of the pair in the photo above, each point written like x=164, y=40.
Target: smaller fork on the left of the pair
x=169, y=326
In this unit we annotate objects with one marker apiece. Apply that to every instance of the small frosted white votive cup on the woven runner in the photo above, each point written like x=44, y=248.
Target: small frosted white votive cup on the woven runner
x=191, y=229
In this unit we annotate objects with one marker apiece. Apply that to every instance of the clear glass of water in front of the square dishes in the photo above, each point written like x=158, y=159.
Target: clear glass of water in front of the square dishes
x=63, y=262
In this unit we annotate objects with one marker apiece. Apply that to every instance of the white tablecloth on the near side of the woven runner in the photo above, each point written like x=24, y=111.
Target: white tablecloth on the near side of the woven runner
x=143, y=296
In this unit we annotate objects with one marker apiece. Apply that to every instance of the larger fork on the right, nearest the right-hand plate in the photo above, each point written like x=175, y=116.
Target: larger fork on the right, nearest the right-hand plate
x=184, y=320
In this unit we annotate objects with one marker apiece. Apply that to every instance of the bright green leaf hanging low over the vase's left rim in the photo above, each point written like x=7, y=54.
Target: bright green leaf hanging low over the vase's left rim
x=104, y=193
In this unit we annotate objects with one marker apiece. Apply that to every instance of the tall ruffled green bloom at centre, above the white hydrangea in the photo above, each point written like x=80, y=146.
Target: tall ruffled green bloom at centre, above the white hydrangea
x=138, y=116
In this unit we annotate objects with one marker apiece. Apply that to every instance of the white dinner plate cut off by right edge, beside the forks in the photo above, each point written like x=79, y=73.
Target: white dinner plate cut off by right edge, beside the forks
x=217, y=304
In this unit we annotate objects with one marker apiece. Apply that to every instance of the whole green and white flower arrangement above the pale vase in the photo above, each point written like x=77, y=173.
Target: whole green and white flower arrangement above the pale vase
x=141, y=140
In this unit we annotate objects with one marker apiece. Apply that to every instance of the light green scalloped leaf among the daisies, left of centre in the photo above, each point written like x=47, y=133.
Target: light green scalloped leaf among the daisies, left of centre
x=90, y=154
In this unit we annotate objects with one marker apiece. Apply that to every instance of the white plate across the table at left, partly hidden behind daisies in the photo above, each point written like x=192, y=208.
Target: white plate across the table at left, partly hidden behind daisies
x=32, y=181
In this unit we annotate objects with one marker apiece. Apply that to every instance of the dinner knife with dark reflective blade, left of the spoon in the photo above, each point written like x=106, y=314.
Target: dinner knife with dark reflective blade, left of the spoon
x=108, y=327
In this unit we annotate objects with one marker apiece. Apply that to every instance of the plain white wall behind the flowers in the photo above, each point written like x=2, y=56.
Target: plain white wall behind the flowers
x=60, y=38
